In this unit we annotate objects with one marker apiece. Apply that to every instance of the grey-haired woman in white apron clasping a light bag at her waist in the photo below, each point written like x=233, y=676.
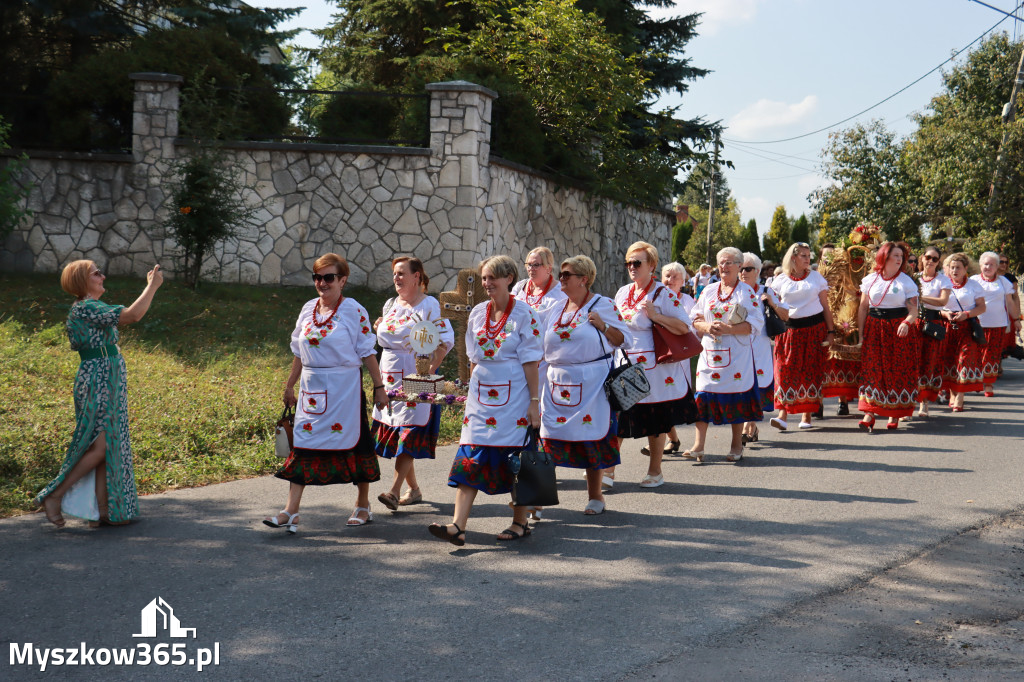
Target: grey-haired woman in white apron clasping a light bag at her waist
x=729, y=316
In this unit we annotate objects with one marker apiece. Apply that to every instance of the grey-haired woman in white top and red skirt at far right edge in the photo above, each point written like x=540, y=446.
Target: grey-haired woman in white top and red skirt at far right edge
x=1000, y=317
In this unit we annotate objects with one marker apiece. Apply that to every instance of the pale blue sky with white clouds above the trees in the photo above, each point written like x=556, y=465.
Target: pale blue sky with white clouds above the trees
x=785, y=68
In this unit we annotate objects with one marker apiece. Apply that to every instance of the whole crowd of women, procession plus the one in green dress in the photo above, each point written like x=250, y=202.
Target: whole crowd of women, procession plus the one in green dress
x=540, y=350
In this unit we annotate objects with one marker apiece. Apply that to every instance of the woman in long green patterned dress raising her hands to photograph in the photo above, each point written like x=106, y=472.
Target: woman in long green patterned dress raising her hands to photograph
x=97, y=482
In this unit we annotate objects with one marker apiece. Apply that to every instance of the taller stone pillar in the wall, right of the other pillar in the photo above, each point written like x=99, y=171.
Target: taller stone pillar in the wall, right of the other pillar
x=460, y=159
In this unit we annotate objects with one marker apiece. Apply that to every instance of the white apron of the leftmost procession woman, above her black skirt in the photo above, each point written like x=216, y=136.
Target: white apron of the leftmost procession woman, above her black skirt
x=327, y=416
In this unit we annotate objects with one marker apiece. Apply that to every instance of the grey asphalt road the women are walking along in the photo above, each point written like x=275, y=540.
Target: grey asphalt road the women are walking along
x=663, y=585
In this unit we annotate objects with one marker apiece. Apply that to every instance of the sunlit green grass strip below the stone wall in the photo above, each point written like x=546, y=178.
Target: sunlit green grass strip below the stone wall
x=206, y=372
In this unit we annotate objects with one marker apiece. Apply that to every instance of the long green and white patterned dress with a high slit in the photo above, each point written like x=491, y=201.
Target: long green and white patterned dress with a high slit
x=101, y=407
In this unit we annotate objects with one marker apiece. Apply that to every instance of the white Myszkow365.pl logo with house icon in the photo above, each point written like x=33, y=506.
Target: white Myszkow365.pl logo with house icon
x=158, y=619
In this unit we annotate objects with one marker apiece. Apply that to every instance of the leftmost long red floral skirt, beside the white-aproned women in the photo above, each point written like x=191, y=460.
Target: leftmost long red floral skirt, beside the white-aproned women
x=800, y=369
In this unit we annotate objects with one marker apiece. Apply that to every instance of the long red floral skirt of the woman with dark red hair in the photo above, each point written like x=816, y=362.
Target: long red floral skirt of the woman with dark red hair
x=889, y=369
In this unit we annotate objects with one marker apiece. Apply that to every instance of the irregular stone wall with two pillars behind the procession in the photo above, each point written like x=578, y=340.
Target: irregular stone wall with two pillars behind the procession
x=451, y=204
